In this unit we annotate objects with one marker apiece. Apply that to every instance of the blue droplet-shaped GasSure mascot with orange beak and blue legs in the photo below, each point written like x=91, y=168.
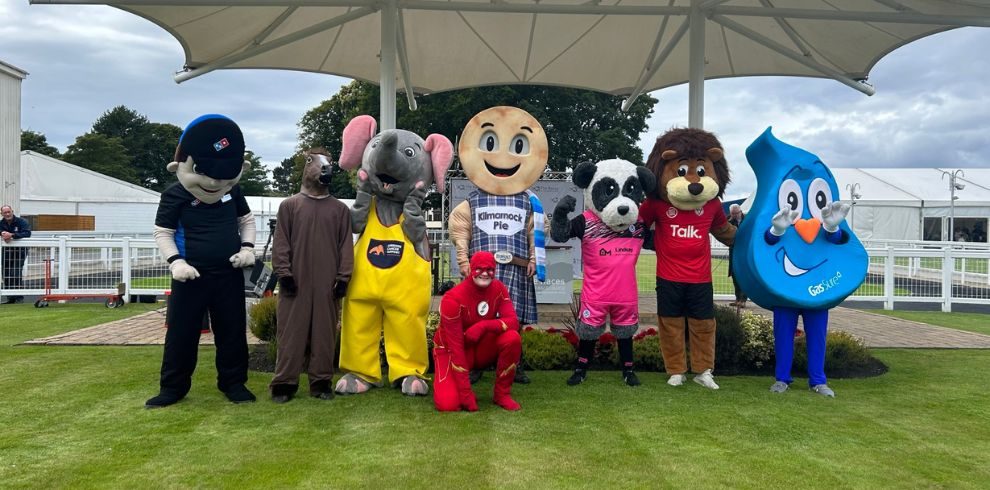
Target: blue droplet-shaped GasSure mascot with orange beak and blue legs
x=795, y=254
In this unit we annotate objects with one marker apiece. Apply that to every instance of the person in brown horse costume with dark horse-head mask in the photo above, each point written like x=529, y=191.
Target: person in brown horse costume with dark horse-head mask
x=313, y=256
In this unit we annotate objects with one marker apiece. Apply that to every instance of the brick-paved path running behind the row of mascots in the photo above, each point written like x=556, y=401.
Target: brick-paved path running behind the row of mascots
x=876, y=330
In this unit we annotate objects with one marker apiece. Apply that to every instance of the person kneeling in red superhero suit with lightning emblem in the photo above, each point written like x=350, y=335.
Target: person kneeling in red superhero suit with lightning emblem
x=478, y=328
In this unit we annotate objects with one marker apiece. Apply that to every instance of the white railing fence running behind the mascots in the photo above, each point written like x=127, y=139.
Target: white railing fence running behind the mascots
x=898, y=272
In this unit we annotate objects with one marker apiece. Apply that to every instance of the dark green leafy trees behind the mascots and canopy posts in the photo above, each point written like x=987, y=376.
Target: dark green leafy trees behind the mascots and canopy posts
x=581, y=125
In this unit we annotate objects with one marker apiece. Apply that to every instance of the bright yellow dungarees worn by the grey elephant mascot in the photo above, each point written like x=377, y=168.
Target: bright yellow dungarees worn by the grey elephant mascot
x=389, y=294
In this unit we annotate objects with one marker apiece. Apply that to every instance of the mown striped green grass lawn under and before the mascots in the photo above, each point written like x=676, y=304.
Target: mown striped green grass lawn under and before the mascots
x=73, y=417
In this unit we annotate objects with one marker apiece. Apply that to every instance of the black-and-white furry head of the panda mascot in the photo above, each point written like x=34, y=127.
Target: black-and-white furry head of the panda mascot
x=614, y=189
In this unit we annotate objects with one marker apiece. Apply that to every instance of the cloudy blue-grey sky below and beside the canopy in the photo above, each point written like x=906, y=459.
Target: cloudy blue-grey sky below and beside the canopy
x=932, y=107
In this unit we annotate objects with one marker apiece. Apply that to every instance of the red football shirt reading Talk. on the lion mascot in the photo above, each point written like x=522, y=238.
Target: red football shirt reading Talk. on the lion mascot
x=684, y=252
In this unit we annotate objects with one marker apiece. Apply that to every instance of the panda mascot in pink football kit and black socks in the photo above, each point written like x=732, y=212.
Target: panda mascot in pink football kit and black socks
x=612, y=236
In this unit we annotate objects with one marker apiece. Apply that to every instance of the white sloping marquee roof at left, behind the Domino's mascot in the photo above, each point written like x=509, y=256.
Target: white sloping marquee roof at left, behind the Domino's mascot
x=44, y=178
